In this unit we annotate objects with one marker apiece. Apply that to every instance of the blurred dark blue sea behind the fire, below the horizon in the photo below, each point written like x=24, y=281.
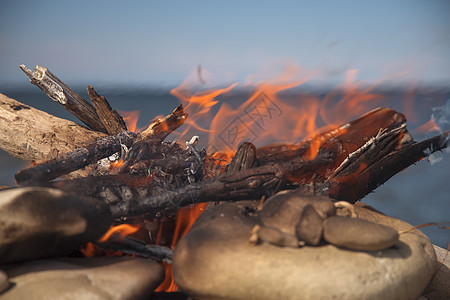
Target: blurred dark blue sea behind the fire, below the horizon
x=419, y=194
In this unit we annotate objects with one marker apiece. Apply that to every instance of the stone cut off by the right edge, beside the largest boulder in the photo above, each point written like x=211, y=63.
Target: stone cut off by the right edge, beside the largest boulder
x=439, y=286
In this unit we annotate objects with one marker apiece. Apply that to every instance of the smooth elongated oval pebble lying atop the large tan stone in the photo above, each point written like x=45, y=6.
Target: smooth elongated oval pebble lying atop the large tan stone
x=358, y=234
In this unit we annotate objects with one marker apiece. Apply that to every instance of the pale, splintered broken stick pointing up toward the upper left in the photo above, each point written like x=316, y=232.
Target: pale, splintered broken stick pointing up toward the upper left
x=64, y=95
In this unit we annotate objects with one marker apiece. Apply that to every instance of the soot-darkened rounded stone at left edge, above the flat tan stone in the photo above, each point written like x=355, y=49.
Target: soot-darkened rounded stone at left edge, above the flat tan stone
x=38, y=222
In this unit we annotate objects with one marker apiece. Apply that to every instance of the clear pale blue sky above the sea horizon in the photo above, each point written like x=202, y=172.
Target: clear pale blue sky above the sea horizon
x=160, y=42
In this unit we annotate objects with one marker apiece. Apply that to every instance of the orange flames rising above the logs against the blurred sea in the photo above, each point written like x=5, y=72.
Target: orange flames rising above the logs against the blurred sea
x=264, y=118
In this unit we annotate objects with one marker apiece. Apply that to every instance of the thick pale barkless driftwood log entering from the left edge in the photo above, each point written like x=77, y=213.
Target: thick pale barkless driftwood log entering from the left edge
x=33, y=135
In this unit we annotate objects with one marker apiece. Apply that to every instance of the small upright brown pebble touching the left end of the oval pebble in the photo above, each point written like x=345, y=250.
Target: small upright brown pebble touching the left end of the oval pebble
x=309, y=229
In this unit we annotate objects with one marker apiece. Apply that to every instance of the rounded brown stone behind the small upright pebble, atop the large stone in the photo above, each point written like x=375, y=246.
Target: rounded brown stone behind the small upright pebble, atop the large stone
x=284, y=209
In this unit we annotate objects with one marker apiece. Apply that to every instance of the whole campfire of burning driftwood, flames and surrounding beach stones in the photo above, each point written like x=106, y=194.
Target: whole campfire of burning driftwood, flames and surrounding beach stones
x=105, y=191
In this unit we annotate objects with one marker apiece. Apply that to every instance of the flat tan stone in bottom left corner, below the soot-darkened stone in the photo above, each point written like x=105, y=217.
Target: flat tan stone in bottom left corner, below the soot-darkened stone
x=84, y=278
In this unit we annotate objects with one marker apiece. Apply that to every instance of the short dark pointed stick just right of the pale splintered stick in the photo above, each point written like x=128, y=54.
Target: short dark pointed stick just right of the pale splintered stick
x=112, y=121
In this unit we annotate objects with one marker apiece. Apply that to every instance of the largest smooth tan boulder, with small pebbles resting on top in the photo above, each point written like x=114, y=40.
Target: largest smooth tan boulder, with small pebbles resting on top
x=215, y=261
